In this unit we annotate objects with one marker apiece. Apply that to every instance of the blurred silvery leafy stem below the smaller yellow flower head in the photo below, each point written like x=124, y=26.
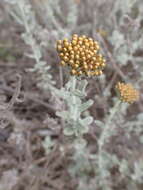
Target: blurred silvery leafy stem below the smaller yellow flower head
x=105, y=161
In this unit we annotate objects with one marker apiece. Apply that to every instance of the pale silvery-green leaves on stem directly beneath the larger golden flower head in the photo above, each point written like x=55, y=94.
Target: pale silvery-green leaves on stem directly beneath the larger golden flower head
x=73, y=94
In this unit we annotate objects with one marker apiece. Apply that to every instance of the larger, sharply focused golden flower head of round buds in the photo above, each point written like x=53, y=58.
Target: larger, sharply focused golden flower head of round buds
x=81, y=55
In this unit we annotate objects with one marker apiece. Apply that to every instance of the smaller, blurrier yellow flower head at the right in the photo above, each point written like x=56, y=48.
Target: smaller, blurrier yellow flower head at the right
x=127, y=93
